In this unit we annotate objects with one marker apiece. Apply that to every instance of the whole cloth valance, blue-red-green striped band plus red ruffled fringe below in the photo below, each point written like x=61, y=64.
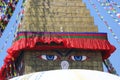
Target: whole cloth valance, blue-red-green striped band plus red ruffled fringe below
x=55, y=40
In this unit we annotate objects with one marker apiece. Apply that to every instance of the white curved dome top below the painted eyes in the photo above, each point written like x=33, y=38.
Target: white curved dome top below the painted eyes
x=68, y=74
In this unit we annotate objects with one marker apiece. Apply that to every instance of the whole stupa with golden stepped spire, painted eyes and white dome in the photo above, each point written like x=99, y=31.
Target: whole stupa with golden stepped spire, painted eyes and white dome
x=57, y=40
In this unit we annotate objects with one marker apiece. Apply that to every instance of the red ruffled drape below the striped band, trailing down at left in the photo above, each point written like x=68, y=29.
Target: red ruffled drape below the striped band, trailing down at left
x=76, y=43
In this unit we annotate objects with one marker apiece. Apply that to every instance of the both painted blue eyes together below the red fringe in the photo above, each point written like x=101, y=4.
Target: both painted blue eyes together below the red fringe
x=55, y=57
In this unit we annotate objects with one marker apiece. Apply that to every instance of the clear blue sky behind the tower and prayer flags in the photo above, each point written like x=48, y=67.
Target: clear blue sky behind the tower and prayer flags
x=115, y=57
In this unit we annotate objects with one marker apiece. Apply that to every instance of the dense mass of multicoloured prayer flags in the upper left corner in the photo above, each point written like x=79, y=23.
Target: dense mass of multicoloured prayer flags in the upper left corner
x=7, y=8
